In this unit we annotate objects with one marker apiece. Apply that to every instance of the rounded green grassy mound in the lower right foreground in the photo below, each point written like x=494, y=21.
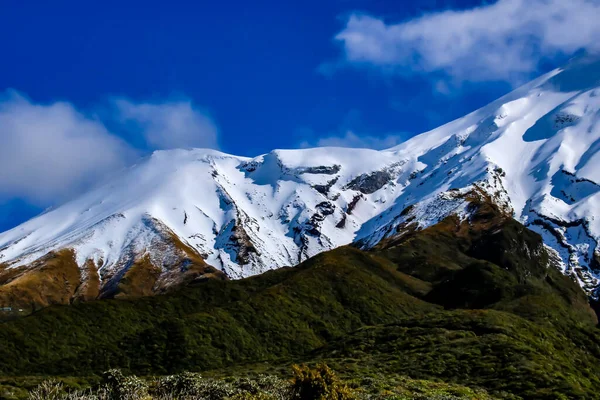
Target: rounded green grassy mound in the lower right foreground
x=496, y=350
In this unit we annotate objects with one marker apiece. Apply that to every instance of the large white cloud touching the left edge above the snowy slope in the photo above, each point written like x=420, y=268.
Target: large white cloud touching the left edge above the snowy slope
x=49, y=152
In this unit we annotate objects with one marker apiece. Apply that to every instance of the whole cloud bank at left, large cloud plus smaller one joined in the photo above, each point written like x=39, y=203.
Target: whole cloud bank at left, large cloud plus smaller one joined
x=51, y=152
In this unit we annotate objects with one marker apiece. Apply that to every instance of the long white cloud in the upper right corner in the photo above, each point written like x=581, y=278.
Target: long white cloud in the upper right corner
x=500, y=41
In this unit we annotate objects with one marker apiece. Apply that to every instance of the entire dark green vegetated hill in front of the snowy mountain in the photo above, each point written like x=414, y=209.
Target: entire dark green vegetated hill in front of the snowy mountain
x=465, y=308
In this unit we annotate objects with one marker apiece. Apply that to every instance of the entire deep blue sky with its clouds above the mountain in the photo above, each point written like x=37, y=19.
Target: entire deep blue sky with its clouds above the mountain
x=87, y=88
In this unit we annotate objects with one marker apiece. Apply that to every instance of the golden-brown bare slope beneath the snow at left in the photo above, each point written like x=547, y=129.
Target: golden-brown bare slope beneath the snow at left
x=57, y=279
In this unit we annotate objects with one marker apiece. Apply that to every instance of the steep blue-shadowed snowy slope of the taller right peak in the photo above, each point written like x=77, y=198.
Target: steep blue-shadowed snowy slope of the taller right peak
x=534, y=151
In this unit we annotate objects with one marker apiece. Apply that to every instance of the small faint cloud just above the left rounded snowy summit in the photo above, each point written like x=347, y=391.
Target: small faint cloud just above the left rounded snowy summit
x=171, y=124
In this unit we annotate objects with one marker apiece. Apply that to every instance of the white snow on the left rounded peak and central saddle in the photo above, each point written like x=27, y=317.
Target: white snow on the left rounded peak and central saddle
x=197, y=194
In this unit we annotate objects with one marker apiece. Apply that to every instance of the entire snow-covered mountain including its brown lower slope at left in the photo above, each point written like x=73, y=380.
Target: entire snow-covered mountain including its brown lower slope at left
x=186, y=215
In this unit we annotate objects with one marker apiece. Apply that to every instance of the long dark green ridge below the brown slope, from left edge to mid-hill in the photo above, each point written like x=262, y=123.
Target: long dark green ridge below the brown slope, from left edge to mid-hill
x=279, y=314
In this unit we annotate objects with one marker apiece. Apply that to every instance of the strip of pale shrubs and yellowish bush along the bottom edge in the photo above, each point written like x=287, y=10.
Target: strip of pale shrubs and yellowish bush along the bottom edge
x=319, y=383
